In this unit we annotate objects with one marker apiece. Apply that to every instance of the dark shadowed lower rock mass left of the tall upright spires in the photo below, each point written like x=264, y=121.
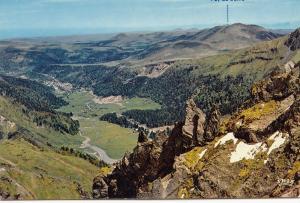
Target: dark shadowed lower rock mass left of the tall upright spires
x=149, y=161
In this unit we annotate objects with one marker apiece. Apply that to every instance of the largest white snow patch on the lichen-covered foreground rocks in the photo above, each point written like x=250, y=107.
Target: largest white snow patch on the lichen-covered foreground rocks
x=246, y=151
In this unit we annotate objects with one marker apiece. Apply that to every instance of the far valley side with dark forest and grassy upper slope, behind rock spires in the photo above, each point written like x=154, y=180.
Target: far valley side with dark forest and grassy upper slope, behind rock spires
x=224, y=80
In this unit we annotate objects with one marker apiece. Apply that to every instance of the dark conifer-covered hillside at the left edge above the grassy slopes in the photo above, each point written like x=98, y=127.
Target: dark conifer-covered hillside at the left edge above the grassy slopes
x=37, y=103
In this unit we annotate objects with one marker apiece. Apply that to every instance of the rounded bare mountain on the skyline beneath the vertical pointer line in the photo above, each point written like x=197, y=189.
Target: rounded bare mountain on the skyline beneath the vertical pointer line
x=208, y=42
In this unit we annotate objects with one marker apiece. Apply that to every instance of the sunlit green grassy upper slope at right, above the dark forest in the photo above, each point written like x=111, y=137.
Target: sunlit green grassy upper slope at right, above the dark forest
x=220, y=64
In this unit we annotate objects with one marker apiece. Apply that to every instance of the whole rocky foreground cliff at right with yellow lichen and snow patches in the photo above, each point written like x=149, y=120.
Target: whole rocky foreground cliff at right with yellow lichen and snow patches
x=253, y=153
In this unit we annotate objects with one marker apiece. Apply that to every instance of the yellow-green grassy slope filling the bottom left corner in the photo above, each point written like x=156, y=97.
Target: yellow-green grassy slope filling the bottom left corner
x=42, y=174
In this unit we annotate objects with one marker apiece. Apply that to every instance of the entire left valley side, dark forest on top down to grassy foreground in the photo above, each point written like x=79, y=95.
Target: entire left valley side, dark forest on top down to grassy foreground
x=38, y=159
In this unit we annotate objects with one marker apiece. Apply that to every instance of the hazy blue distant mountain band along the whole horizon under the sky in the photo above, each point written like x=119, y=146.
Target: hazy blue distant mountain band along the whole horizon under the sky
x=133, y=48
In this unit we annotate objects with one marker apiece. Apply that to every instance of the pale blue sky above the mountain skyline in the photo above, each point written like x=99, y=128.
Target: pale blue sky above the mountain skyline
x=30, y=18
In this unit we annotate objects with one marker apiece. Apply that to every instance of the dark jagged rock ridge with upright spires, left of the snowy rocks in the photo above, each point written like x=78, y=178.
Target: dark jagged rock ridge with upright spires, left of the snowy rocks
x=152, y=160
